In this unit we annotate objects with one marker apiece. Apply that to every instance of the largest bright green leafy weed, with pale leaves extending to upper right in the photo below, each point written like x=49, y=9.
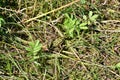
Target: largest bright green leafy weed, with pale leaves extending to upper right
x=72, y=24
